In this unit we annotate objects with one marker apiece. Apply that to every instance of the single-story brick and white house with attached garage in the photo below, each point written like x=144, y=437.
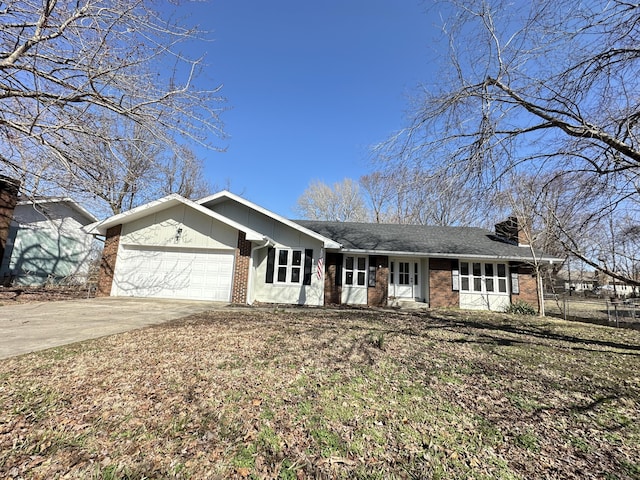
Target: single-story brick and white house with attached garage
x=225, y=248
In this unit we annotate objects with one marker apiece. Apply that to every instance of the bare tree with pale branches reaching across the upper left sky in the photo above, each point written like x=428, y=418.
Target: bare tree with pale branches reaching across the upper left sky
x=67, y=65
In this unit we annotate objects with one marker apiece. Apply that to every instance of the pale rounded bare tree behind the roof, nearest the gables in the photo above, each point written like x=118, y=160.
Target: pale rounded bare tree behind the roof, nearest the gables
x=340, y=203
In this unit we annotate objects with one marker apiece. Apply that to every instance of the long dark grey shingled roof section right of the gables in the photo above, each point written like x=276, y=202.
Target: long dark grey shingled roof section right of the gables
x=433, y=241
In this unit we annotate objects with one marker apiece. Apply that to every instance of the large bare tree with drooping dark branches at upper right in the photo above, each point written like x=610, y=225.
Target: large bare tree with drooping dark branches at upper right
x=544, y=86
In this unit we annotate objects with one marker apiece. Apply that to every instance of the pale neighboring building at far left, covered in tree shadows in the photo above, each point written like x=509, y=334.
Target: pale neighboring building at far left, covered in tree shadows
x=46, y=243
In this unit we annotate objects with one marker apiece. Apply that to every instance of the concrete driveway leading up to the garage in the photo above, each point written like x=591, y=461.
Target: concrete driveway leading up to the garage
x=40, y=325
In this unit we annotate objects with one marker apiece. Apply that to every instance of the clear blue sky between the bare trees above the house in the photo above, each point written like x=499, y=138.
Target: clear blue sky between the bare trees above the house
x=310, y=87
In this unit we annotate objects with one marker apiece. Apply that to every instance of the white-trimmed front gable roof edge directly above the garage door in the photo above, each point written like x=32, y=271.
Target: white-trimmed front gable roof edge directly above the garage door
x=163, y=204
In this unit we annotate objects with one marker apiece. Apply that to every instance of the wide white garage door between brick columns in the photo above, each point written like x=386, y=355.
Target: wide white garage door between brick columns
x=187, y=274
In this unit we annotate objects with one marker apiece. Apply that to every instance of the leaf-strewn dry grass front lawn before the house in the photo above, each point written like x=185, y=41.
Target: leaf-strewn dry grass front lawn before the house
x=305, y=393
